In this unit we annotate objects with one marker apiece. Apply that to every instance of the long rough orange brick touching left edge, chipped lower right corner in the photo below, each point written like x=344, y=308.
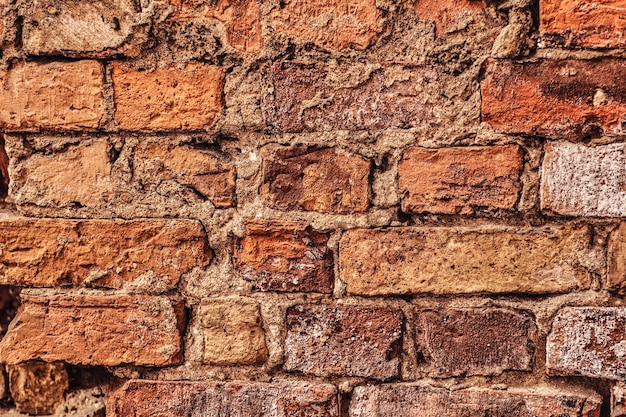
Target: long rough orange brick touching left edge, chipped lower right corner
x=138, y=255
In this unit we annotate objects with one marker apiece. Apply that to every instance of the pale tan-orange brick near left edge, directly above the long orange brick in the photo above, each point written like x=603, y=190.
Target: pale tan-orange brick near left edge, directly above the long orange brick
x=80, y=176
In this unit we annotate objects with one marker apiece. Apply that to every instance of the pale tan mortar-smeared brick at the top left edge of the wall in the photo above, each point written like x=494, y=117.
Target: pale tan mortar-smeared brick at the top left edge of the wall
x=84, y=28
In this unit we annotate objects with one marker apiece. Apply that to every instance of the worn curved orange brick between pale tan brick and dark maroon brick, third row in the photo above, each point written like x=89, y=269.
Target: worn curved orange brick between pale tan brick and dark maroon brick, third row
x=206, y=172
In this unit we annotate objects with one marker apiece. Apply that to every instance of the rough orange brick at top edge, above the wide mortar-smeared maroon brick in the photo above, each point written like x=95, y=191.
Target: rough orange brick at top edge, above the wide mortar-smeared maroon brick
x=331, y=24
